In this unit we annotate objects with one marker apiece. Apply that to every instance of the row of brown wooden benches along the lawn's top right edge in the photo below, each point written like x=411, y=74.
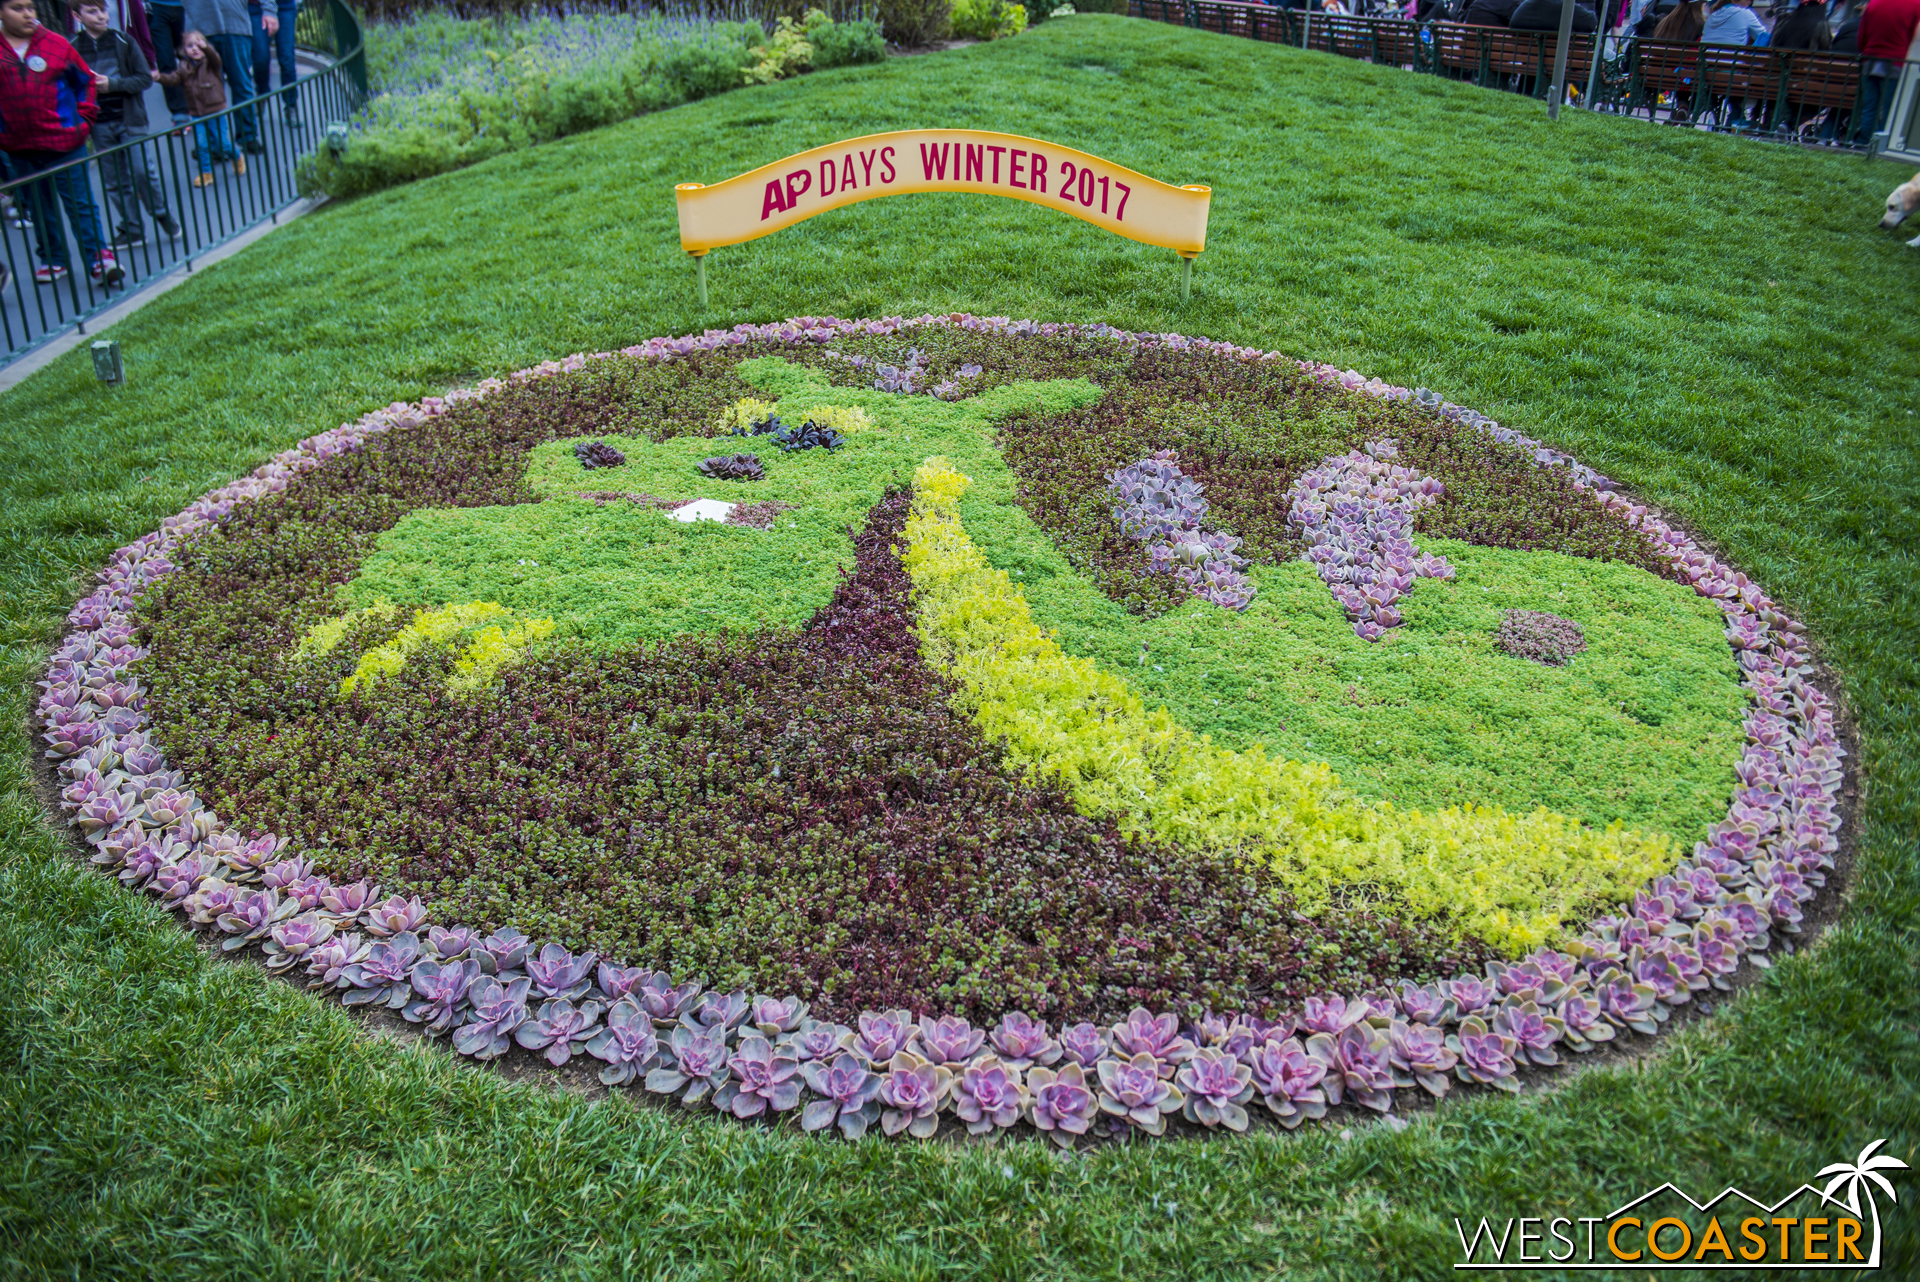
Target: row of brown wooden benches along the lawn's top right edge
x=1785, y=95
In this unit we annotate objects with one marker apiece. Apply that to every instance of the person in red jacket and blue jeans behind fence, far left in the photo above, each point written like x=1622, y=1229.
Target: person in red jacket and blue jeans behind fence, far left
x=47, y=108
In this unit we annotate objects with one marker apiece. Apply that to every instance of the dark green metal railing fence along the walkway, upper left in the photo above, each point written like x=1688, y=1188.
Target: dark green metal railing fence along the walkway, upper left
x=162, y=201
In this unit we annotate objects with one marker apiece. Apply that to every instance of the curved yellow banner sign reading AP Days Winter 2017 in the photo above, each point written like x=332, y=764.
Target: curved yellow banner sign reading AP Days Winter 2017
x=942, y=160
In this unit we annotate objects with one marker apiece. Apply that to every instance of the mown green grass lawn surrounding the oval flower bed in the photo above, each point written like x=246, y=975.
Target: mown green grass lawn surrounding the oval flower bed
x=1712, y=321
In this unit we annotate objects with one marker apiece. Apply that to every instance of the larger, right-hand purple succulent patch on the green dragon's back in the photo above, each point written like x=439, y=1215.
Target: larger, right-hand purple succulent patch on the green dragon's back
x=1356, y=515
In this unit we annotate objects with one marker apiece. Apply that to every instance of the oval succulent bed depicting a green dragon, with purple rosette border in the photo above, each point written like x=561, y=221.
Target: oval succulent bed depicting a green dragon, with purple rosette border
x=1074, y=728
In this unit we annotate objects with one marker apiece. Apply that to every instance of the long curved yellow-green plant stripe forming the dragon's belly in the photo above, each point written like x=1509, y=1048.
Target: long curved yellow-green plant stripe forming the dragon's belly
x=1514, y=880
